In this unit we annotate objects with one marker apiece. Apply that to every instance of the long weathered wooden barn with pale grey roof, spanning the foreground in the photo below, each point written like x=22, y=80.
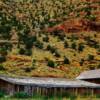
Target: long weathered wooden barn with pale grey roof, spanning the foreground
x=45, y=86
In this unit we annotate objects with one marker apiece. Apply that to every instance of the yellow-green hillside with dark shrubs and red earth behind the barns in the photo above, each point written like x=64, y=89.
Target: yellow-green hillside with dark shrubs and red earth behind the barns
x=55, y=38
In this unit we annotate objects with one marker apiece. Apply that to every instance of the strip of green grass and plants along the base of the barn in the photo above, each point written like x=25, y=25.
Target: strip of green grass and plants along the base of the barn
x=43, y=97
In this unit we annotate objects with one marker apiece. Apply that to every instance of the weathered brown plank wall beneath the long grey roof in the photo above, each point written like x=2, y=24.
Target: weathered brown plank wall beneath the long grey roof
x=11, y=89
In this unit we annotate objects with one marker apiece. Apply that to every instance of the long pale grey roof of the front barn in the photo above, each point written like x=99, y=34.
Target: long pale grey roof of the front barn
x=48, y=82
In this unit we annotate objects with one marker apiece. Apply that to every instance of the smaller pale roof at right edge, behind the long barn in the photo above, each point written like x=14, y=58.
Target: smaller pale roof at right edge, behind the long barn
x=92, y=74
